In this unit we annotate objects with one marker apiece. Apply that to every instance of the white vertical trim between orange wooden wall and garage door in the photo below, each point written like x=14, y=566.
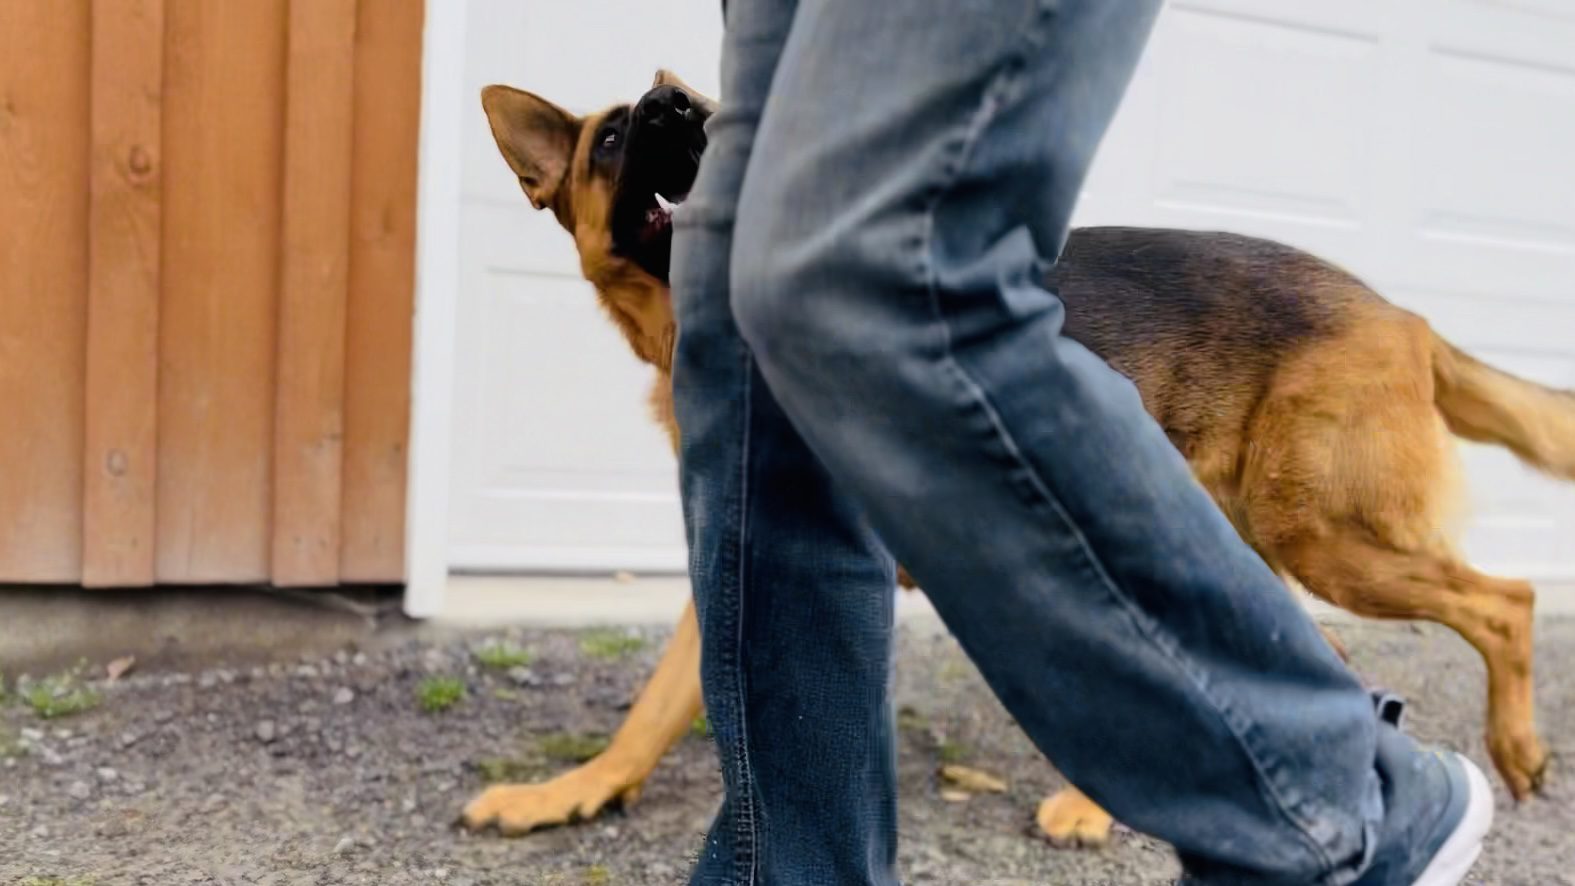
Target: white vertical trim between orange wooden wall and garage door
x=437, y=289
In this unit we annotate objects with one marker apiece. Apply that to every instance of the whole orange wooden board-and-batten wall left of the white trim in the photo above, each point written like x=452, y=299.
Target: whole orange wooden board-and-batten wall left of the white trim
x=207, y=243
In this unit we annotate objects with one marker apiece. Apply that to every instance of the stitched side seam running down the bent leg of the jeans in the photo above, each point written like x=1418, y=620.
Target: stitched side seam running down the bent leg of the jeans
x=995, y=95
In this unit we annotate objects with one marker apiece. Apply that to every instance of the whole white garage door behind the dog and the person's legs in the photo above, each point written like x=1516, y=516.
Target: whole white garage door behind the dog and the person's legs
x=1428, y=146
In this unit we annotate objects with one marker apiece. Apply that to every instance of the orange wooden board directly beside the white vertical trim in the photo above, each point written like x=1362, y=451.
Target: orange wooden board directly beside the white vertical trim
x=382, y=287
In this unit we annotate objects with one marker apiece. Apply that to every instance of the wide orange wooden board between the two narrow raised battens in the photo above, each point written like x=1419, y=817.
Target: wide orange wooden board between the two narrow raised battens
x=224, y=76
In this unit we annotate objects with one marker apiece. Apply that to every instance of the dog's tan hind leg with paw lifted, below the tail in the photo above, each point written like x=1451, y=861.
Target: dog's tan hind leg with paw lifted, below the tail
x=1351, y=569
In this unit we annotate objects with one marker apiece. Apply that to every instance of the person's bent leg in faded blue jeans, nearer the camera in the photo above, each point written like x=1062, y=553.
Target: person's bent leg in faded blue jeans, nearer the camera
x=913, y=179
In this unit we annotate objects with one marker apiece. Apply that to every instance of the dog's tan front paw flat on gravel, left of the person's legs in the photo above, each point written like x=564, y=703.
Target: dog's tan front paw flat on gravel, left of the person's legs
x=522, y=808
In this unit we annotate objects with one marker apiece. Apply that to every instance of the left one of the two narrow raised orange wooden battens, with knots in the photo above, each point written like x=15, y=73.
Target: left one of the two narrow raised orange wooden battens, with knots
x=124, y=293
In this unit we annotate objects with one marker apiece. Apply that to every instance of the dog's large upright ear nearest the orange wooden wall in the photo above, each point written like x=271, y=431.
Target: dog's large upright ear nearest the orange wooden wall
x=536, y=138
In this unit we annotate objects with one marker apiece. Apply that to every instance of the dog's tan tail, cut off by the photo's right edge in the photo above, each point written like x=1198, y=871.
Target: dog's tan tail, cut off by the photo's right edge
x=1486, y=405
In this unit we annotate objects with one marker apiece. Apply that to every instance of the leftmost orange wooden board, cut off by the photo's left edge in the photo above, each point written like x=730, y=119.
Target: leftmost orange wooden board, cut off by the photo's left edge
x=43, y=286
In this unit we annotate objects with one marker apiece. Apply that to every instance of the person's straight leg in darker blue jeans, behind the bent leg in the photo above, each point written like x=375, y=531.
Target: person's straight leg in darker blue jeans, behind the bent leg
x=793, y=589
